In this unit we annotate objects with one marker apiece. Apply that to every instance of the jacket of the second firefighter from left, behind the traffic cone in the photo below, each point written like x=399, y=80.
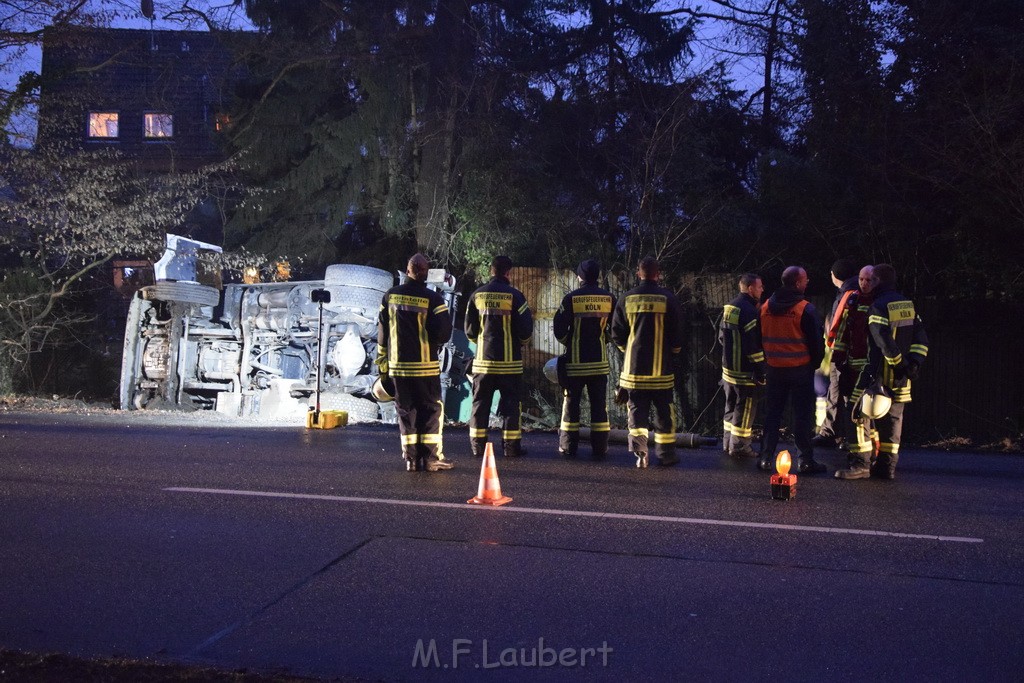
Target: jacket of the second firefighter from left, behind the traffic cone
x=499, y=321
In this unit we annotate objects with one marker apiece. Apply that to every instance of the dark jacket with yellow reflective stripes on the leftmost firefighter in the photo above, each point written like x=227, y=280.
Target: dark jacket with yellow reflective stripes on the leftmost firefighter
x=414, y=322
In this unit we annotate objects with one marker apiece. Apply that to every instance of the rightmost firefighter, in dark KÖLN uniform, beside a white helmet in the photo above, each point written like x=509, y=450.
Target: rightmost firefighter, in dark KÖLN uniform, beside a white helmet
x=898, y=348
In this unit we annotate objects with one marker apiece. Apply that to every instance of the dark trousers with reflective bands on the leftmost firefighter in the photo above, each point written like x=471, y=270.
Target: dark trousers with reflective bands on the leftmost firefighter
x=421, y=417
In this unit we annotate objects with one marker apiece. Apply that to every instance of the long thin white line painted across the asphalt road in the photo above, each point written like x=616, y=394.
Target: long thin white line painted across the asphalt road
x=580, y=514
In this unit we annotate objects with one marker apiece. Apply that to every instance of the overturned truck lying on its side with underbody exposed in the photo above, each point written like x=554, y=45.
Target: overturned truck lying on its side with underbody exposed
x=255, y=350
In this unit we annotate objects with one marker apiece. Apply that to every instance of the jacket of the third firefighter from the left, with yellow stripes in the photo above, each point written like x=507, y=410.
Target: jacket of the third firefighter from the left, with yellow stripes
x=582, y=325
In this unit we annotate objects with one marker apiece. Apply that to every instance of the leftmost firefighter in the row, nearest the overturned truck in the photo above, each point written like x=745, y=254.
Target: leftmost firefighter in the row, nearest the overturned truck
x=414, y=322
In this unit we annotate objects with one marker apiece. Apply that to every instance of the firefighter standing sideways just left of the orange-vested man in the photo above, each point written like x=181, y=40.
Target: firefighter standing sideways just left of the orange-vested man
x=743, y=365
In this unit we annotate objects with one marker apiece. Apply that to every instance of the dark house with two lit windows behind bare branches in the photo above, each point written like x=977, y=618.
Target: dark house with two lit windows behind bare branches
x=158, y=97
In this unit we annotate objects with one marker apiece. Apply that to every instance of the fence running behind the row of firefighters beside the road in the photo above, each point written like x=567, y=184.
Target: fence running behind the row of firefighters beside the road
x=972, y=386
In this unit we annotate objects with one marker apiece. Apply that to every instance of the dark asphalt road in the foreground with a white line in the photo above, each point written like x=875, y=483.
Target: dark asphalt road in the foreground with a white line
x=314, y=552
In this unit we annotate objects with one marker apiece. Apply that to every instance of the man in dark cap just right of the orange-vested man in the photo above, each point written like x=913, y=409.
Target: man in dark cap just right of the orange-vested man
x=834, y=423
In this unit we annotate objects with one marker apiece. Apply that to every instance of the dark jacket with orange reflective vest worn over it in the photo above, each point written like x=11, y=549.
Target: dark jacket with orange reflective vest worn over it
x=791, y=331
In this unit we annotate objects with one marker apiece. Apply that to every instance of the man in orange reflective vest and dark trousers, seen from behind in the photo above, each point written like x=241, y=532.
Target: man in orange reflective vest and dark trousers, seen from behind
x=791, y=337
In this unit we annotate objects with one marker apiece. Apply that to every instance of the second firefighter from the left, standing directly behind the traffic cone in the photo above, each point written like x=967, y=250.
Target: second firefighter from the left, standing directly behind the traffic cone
x=499, y=321
